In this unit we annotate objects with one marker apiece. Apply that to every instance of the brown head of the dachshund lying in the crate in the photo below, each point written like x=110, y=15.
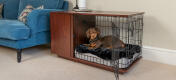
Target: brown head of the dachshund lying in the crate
x=92, y=33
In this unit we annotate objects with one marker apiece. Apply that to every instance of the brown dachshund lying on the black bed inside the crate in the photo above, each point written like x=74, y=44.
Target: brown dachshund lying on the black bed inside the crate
x=108, y=42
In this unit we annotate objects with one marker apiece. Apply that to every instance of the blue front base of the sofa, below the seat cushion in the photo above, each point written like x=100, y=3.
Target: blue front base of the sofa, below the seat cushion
x=37, y=39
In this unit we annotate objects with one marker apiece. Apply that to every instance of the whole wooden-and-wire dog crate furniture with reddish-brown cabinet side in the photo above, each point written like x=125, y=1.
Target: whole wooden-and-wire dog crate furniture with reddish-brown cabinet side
x=120, y=35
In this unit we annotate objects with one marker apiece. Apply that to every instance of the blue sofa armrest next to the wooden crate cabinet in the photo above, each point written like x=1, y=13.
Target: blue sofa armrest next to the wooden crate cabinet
x=39, y=20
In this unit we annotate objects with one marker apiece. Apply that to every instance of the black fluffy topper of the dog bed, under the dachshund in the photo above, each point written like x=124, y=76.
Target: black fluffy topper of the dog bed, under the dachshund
x=106, y=54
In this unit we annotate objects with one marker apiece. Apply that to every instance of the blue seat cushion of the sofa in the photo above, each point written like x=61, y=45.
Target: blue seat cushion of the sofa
x=13, y=30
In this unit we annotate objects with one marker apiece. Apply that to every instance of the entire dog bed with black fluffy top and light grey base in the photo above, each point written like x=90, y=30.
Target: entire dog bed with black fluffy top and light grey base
x=125, y=56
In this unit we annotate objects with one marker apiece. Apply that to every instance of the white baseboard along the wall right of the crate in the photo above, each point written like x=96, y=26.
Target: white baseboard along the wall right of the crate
x=159, y=55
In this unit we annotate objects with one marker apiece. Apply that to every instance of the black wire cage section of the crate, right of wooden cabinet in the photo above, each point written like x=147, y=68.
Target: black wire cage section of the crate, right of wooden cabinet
x=128, y=27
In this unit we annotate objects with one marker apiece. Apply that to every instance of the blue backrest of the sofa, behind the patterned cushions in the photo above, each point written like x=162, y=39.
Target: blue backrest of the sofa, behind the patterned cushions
x=13, y=8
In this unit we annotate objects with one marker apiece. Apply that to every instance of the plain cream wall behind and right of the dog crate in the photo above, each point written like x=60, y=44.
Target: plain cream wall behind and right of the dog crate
x=160, y=18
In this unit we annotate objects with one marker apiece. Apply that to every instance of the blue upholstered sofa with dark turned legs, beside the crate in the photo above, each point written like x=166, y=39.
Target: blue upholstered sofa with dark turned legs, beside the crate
x=36, y=31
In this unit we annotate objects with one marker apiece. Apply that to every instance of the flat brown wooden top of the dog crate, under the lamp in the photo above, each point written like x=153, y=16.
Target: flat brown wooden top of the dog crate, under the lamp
x=104, y=13
